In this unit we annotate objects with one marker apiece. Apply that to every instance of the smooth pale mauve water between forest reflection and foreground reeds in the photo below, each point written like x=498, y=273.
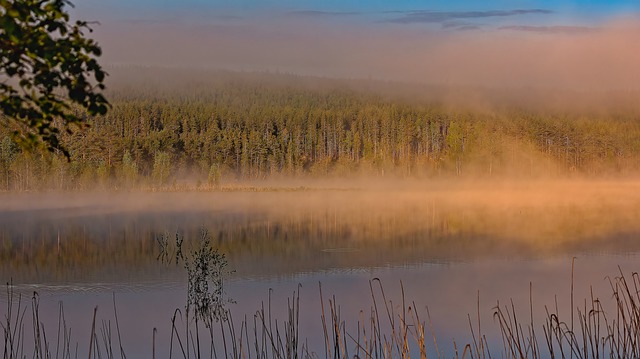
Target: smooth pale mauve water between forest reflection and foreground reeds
x=450, y=291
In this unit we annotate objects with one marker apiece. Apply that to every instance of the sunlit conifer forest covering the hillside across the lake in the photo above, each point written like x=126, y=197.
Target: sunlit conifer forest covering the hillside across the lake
x=241, y=129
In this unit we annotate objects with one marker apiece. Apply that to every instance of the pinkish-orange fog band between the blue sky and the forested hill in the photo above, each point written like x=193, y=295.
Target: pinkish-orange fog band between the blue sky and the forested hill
x=589, y=58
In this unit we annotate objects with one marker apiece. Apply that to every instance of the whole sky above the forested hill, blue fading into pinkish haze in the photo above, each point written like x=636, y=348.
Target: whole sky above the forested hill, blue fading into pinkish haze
x=576, y=44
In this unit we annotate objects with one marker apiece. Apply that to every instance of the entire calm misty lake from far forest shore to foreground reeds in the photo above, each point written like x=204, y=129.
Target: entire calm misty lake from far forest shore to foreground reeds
x=448, y=251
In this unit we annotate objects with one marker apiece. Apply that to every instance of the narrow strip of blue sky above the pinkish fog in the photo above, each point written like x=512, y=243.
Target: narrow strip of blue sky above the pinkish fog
x=582, y=11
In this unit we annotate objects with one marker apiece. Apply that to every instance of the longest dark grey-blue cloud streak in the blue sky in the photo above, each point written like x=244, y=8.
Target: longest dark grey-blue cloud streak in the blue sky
x=426, y=16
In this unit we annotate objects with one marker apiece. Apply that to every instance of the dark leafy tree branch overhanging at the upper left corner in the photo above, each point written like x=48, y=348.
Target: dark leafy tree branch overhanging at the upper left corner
x=47, y=67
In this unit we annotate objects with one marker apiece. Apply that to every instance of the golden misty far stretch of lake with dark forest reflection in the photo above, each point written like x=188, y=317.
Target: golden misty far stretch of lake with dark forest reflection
x=103, y=236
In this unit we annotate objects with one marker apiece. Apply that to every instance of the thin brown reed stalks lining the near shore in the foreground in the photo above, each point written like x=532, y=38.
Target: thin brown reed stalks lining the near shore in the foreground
x=586, y=332
